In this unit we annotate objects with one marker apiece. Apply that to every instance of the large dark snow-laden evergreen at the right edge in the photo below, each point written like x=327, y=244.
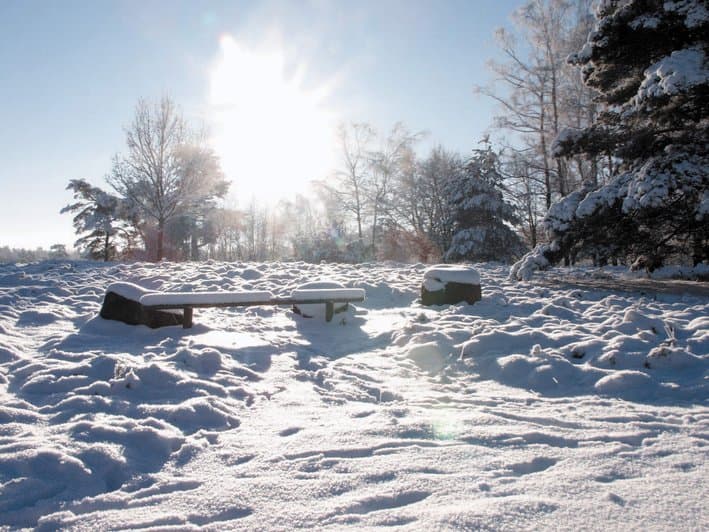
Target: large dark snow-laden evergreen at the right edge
x=649, y=62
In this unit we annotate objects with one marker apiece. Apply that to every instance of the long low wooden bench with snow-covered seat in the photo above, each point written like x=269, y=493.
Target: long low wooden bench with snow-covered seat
x=188, y=301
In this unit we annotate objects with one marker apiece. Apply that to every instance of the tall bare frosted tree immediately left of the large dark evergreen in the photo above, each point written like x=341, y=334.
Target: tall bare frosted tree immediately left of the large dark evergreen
x=539, y=95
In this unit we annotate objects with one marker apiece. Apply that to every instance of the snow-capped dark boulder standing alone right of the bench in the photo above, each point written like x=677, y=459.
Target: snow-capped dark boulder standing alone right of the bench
x=450, y=284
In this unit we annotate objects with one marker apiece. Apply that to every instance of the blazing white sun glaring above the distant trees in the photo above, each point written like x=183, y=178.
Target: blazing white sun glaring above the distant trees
x=273, y=135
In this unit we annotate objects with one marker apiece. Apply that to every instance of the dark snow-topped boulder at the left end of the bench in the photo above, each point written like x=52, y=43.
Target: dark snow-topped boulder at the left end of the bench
x=121, y=303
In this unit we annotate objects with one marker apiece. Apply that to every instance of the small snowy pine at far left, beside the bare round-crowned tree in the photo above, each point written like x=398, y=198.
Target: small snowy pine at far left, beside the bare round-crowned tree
x=100, y=218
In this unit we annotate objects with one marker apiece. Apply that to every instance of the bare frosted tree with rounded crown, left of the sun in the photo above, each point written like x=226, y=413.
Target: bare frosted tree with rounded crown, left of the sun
x=168, y=172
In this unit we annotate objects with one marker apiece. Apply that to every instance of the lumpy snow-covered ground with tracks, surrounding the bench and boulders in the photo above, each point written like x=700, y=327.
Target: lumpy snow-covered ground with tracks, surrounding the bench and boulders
x=570, y=408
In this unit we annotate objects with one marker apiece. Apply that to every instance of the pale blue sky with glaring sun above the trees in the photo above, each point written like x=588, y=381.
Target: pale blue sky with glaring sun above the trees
x=268, y=80
